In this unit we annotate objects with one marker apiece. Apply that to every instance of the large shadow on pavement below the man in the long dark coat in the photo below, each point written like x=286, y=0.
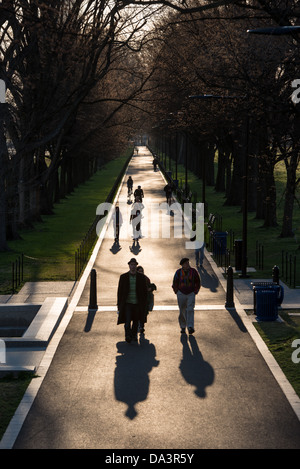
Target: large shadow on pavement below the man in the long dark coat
x=133, y=365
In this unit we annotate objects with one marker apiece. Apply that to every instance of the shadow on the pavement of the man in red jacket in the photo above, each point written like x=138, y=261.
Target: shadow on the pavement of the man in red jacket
x=194, y=369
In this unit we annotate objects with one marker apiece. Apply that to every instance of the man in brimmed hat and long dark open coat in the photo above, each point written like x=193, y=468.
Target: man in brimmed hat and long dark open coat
x=132, y=300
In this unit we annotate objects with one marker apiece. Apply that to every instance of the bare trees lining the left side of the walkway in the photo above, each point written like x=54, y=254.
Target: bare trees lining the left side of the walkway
x=71, y=69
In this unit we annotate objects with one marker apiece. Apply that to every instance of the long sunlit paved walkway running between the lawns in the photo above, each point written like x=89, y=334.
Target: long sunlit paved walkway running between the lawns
x=214, y=389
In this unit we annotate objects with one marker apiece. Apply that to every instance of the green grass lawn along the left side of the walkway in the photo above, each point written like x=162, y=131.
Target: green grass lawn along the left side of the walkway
x=49, y=246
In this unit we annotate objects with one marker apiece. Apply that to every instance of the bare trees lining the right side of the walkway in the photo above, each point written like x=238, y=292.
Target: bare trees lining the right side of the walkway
x=249, y=108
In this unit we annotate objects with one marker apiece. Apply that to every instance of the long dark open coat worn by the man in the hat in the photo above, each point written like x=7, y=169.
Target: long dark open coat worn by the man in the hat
x=141, y=293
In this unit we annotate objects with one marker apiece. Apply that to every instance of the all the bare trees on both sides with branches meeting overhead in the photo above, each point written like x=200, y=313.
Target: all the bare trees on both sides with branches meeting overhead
x=83, y=75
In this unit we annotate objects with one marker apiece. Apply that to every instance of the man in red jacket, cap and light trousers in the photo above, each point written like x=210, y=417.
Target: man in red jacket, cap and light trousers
x=186, y=285
